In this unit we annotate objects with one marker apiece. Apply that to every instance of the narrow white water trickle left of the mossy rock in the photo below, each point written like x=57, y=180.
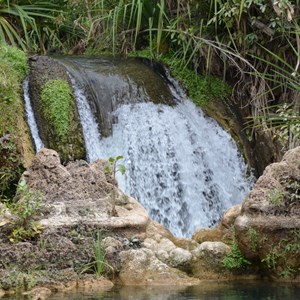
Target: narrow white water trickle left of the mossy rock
x=30, y=117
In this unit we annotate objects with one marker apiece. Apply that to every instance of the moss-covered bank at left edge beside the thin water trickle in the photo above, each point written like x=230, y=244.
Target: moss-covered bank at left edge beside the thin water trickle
x=13, y=69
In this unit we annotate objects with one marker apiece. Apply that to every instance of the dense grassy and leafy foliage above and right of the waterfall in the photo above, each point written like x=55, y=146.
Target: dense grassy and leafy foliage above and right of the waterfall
x=253, y=44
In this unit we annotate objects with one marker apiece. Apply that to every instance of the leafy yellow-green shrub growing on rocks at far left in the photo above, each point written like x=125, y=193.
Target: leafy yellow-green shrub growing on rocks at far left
x=25, y=210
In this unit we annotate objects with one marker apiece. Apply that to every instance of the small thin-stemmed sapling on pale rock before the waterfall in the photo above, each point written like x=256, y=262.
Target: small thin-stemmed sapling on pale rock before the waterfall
x=112, y=168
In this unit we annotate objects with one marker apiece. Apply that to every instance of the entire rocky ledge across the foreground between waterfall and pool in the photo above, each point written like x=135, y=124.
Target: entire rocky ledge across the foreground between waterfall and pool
x=79, y=240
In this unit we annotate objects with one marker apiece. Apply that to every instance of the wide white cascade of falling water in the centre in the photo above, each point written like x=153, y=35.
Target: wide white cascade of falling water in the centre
x=181, y=165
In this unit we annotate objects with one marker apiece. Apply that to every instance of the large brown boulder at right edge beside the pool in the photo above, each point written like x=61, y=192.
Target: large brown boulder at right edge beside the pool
x=268, y=228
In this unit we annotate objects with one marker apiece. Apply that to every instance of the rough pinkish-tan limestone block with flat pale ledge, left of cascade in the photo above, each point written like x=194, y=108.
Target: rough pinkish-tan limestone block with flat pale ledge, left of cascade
x=79, y=193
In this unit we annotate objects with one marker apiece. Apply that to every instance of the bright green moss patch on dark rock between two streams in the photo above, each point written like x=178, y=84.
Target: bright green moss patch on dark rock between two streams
x=56, y=103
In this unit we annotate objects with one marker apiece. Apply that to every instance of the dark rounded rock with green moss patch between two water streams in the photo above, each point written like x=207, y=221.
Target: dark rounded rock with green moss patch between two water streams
x=56, y=113
